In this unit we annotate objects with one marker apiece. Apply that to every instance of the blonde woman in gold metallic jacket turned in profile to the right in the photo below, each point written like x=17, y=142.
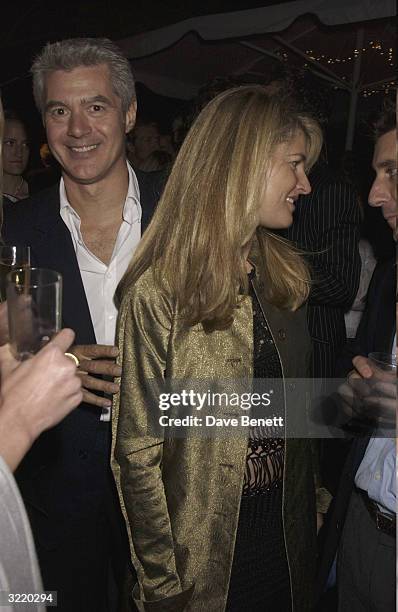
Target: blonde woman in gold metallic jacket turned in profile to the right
x=219, y=522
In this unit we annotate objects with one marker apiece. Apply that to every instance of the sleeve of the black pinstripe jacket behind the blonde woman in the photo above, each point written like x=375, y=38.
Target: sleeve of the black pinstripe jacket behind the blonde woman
x=336, y=263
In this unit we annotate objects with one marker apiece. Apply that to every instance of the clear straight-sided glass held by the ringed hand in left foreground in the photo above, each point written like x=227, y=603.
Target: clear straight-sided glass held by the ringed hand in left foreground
x=34, y=298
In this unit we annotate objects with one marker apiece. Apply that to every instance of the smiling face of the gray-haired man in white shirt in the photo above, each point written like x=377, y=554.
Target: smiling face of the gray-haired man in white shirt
x=85, y=124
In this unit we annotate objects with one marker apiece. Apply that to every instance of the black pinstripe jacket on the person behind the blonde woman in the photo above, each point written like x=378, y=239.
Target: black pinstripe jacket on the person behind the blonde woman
x=326, y=224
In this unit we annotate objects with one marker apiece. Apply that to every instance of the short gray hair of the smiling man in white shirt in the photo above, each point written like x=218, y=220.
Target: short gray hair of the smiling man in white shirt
x=76, y=52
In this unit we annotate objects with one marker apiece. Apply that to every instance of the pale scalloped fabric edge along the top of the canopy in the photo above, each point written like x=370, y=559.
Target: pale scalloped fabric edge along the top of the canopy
x=273, y=18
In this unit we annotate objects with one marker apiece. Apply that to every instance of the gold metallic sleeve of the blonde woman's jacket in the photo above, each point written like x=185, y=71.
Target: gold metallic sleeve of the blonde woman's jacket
x=145, y=321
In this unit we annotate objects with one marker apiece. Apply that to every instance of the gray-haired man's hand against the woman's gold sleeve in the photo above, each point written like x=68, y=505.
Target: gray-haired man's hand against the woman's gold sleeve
x=97, y=359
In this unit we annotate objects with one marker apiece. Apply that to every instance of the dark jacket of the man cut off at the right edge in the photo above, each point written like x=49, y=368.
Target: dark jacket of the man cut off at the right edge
x=375, y=333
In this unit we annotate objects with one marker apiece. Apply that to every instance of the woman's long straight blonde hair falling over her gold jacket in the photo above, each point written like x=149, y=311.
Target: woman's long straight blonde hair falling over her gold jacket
x=208, y=213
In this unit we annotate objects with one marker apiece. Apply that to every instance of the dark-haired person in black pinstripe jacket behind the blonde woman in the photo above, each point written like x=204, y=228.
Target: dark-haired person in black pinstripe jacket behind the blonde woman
x=326, y=226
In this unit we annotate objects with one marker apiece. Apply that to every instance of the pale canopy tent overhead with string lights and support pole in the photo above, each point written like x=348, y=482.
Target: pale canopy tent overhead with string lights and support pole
x=178, y=59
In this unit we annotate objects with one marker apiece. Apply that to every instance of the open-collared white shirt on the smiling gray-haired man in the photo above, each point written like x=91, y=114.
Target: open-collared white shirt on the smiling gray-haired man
x=100, y=280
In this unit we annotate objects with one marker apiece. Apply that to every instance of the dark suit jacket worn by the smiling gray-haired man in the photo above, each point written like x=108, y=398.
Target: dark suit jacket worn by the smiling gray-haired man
x=55, y=475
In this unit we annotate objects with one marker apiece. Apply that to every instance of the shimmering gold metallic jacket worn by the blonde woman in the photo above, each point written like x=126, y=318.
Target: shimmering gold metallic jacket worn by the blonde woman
x=181, y=497
